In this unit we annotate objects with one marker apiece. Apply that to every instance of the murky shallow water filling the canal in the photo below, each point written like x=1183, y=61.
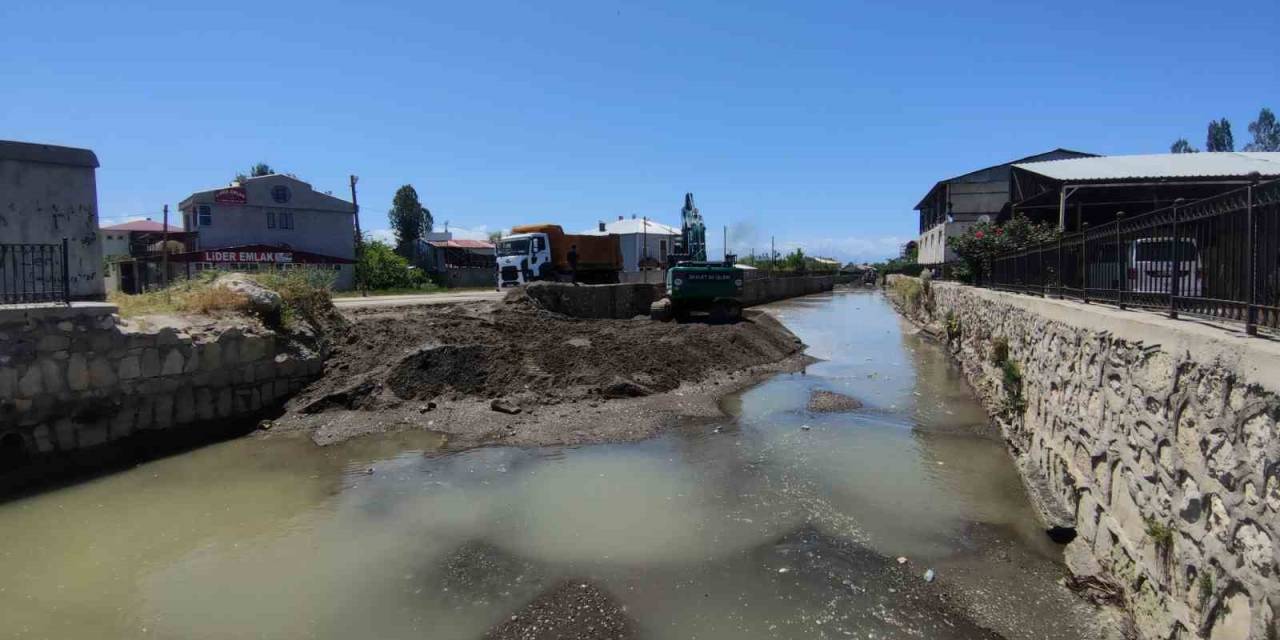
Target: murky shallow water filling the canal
x=772, y=524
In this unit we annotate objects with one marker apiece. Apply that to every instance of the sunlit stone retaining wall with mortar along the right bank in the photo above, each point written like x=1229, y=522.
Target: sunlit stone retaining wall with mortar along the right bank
x=1156, y=438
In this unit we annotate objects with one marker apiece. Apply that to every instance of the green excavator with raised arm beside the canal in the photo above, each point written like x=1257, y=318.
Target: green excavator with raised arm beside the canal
x=698, y=286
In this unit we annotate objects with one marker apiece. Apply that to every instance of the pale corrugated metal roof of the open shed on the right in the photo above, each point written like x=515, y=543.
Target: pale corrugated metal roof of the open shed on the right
x=1158, y=166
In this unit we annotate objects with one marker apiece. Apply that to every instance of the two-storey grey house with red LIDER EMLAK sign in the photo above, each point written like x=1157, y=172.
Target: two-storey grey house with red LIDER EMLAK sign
x=271, y=222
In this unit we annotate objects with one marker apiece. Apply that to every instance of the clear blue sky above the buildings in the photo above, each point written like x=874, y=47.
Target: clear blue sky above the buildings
x=819, y=124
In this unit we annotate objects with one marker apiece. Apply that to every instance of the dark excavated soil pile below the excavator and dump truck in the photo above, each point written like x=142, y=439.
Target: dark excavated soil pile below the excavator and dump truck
x=528, y=356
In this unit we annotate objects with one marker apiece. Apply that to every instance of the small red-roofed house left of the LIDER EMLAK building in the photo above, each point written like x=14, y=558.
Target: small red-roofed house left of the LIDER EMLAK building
x=132, y=254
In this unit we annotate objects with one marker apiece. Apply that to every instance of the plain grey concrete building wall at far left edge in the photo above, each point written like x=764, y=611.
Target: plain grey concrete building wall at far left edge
x=49, y=194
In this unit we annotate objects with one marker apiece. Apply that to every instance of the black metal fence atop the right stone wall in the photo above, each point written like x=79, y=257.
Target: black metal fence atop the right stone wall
x=1217, y=258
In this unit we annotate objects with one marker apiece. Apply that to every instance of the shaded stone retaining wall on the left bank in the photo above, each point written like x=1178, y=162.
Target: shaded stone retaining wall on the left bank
x=75, y=378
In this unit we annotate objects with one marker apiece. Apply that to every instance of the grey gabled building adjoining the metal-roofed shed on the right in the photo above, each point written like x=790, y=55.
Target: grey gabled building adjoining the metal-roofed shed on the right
x=956, y=204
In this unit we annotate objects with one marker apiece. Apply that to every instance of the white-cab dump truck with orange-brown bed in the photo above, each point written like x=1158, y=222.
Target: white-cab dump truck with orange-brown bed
x=541, y=253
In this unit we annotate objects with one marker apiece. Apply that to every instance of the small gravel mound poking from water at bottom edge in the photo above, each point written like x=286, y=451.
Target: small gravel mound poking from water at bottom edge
x=572, y=610
